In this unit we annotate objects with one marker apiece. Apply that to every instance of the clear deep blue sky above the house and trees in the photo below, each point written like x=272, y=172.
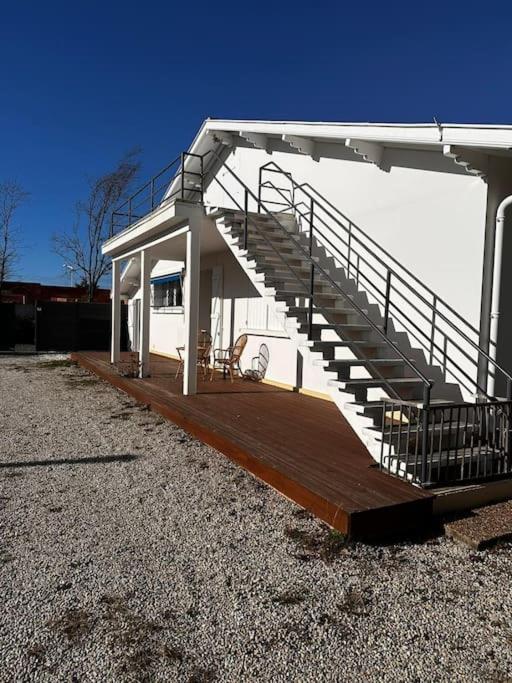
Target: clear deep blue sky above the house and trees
x=83, y=82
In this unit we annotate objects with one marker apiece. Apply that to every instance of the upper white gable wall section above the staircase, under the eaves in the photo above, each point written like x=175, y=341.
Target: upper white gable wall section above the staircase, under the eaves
x=425, y=210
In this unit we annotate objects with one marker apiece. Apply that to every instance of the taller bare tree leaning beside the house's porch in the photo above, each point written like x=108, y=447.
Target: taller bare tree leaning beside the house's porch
x=81, y=247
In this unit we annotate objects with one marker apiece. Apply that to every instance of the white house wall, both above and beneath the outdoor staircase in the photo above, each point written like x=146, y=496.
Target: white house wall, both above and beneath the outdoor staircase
x=426, y=211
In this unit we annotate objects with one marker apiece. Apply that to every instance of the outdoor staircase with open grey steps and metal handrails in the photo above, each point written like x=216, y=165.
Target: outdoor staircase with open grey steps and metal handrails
x=399, y=362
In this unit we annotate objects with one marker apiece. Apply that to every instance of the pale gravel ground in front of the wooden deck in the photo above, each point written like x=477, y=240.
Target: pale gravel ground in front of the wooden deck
x=131, y=552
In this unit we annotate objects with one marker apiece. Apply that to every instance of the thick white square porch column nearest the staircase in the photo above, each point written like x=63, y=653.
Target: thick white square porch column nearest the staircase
x=191, y=306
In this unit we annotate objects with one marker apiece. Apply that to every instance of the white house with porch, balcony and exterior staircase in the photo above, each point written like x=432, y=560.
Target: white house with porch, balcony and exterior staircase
x=365, y=257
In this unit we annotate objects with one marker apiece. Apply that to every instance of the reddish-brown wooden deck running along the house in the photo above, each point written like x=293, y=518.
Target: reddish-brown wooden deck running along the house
x=301, y=446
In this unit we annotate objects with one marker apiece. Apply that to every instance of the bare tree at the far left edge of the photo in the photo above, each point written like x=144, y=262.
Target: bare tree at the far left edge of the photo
x=12, y=195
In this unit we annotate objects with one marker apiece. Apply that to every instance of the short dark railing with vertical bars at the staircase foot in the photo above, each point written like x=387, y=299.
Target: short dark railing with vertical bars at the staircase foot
x=446, y=443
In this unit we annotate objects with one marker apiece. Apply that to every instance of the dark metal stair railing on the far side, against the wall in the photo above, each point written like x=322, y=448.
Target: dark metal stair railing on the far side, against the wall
x=403, y=298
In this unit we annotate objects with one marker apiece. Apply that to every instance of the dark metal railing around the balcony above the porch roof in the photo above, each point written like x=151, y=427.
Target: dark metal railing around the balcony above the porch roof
x=188, y=183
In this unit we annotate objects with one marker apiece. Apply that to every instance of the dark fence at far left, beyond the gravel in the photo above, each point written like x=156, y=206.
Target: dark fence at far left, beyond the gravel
x=59, y=326
